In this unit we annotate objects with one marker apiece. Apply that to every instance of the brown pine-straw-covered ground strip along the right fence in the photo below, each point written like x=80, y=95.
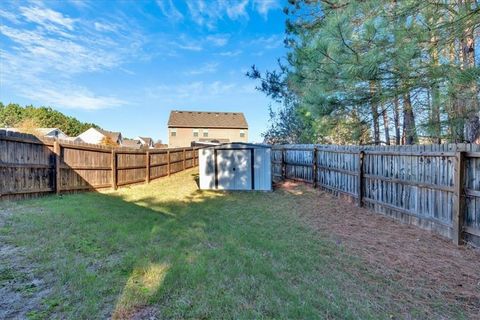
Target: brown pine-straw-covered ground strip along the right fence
x=427, y=264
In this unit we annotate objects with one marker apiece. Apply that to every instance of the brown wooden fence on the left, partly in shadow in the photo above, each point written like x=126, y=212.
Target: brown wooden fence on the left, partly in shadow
x=30, y=166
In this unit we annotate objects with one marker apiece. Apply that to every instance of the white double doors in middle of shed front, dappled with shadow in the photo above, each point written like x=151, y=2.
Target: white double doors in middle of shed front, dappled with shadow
x=234, y=169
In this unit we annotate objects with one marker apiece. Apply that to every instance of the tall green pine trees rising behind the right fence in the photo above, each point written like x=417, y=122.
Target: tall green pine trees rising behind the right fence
x=408, y=64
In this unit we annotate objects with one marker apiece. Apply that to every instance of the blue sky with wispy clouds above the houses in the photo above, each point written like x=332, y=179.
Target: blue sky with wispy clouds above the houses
x=125, y=64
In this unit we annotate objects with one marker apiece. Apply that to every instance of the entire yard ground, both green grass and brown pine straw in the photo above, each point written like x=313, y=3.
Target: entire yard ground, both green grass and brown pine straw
x=169, y=250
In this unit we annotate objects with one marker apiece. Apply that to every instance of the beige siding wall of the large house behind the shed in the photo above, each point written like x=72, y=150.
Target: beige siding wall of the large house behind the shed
x=184, y=136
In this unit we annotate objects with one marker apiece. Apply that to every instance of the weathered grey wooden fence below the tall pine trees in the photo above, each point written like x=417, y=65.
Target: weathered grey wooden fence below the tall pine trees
x=436, y=187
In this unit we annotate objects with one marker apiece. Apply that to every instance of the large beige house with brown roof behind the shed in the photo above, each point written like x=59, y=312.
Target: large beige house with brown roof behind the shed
x=187, y=127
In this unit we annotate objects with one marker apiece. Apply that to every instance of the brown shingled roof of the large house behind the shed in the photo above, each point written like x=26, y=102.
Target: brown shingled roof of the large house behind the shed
x=207, y=119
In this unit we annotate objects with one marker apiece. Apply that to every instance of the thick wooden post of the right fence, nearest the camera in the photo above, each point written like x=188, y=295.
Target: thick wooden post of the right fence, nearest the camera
x=459, y=198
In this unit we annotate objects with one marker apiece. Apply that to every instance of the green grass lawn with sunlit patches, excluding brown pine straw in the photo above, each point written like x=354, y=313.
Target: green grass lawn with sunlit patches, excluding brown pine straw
x=168, y=250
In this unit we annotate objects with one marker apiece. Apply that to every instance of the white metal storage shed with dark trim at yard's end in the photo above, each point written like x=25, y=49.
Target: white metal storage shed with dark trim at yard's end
x=235, y=166
